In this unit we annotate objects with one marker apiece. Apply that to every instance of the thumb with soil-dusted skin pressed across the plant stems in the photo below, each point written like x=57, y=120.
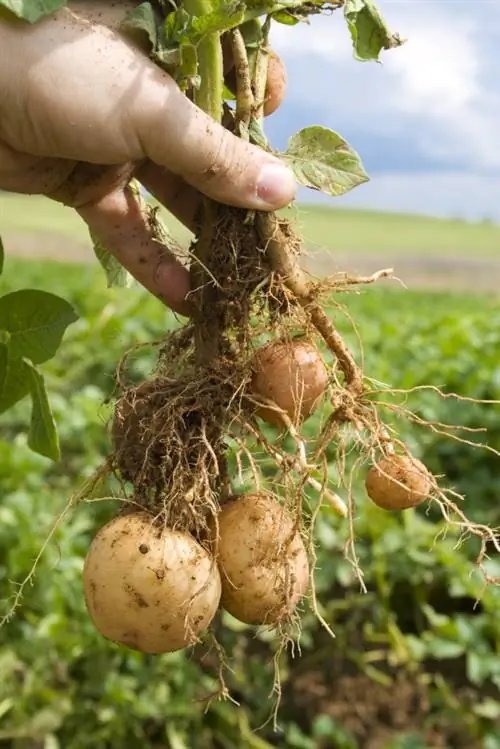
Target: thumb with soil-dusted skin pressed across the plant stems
x=175, y=134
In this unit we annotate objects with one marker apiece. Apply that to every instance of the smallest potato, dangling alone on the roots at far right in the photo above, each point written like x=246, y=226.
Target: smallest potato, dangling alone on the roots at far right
x=398, y=482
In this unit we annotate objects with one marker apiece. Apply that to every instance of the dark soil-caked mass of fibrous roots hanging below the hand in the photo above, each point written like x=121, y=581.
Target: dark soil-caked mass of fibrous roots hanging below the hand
x=169, y=432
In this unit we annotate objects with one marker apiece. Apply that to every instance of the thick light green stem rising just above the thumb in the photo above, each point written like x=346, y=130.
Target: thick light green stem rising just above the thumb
x=209, y=95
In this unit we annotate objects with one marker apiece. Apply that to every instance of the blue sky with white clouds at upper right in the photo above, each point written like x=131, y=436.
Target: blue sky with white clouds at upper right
x=426, y=122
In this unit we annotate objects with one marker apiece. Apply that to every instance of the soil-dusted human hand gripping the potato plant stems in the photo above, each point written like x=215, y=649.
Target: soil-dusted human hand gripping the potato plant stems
x=83, y=110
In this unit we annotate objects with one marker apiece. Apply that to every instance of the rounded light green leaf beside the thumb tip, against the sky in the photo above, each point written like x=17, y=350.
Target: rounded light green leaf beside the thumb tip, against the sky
x=324, y=161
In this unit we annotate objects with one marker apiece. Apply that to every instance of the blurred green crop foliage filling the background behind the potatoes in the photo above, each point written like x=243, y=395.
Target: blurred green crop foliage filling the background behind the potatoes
x=415, y=664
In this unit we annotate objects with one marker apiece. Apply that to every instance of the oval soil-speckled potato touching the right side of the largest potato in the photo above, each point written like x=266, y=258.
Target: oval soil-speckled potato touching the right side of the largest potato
x=264, y=570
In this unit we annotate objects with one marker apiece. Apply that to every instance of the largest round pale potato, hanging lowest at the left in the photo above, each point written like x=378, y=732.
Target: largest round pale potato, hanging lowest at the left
x=148, y=587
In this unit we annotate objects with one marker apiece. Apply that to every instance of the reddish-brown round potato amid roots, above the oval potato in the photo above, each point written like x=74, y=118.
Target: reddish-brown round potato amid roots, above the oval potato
x=291, y=374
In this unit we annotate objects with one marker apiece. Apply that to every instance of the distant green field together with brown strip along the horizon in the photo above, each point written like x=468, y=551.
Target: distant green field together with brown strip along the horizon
x=424, y=252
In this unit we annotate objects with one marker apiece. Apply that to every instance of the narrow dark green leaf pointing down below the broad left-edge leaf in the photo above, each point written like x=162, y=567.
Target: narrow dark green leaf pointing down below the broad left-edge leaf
x=42, y=436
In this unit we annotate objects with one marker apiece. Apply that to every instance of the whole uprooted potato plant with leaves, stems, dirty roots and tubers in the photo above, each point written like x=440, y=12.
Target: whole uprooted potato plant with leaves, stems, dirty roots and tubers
x=258, y=349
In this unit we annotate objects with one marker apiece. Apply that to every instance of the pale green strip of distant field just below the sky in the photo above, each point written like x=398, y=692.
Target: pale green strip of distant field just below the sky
x=339, y=230
